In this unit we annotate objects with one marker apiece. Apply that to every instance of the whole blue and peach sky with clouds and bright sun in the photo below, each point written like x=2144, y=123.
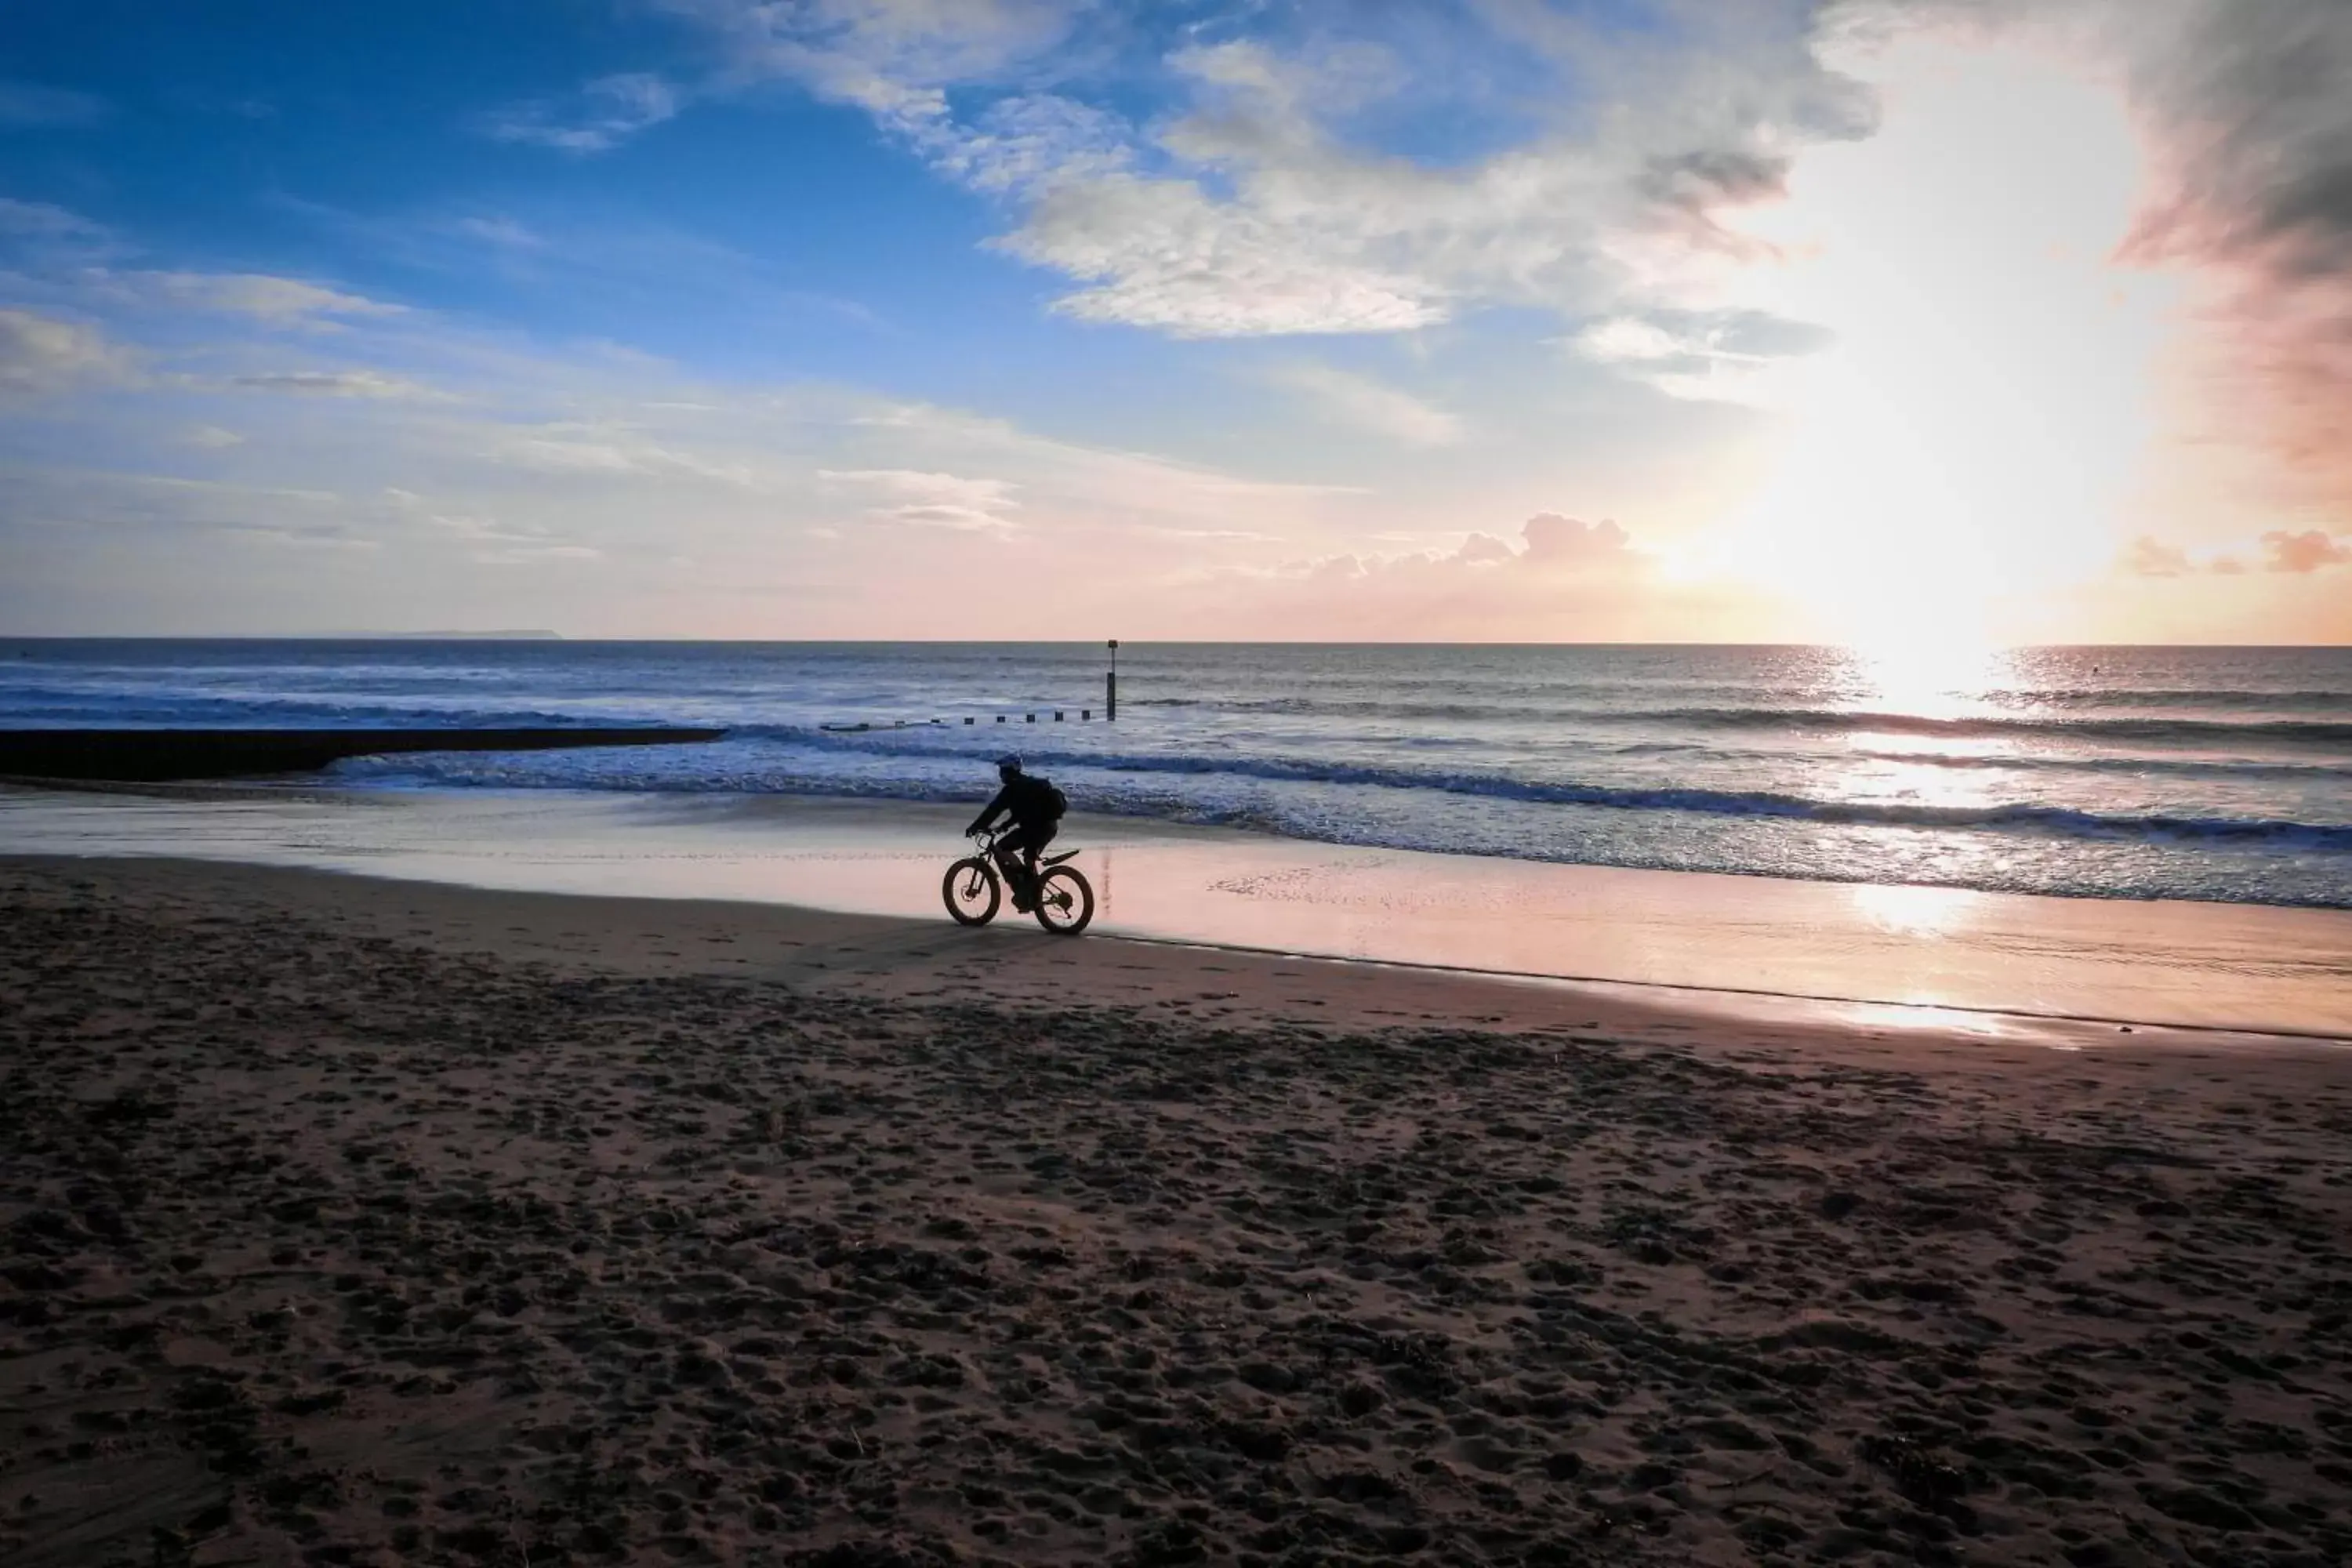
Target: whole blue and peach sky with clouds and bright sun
x=1937, y=323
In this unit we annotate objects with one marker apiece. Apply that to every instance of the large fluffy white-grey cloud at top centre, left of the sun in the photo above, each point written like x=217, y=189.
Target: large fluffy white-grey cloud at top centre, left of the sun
x=1250, y=215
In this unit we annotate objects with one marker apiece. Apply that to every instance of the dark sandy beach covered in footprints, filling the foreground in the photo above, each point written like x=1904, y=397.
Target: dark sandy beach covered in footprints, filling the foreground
x=370, y=1221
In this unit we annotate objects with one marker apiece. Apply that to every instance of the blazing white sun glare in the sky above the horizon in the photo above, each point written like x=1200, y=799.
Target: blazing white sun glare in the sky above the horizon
x=1972, y=438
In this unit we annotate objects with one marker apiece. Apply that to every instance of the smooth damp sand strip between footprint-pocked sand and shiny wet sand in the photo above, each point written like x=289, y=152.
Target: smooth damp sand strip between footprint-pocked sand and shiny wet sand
x=895, y=956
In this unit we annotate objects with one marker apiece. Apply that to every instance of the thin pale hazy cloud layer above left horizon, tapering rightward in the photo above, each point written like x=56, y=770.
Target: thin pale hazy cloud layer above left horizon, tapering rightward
x=709, y=507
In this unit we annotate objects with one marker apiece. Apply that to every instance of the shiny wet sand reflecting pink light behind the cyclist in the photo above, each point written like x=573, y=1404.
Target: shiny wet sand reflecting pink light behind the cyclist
x=2024, y=958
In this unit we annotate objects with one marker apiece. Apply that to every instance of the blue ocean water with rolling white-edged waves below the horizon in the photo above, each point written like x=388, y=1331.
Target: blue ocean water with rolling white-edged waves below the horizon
x=2217, y=775
